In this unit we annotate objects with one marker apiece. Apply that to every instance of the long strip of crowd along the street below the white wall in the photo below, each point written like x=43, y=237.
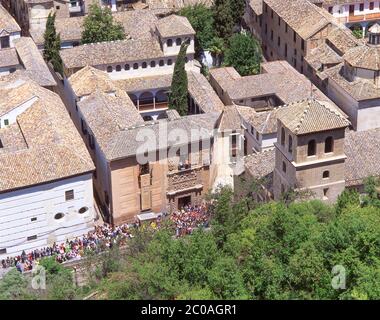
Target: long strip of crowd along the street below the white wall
x=100, y=238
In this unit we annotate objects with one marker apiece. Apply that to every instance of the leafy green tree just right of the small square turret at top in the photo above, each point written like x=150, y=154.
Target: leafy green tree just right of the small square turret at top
x=201, y=19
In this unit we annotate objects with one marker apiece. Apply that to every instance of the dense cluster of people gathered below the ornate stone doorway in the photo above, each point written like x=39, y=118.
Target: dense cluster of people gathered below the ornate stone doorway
x=189, y=218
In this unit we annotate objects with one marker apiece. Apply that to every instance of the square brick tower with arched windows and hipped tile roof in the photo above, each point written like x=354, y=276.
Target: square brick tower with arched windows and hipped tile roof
x=310, y=149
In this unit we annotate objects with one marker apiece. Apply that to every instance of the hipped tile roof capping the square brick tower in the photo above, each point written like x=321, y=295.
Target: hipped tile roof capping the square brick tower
x=310, y=115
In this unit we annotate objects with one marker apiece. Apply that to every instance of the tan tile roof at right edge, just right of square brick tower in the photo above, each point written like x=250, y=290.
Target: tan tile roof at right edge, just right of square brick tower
x=362, y=149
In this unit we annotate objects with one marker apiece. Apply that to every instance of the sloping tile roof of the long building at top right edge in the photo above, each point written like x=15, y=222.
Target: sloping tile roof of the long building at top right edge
x=313, y=18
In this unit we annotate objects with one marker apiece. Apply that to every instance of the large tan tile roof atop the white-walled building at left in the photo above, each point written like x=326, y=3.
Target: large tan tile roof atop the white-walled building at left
x=47, y=146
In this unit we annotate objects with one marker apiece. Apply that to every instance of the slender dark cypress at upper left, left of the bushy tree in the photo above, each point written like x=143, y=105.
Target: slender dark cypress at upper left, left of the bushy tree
x=52, y=45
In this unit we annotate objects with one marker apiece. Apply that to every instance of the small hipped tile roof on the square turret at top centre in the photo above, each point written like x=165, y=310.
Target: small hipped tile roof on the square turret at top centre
x=173, y=26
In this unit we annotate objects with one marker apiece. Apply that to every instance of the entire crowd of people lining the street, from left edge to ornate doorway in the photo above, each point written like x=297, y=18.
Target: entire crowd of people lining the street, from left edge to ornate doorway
x=102, y=237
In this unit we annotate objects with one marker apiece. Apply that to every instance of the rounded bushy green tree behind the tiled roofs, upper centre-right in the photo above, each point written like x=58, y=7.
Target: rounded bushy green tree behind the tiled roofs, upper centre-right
x=244, y=54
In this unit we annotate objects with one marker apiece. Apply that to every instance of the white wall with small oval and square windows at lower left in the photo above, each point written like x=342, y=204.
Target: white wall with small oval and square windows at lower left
x=32, y=213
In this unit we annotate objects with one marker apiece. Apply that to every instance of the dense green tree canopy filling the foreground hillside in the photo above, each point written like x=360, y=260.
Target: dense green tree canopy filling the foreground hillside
x=276, y=250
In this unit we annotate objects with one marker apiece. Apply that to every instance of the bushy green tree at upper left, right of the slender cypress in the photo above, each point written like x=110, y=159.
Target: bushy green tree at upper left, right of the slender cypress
x=99, y=26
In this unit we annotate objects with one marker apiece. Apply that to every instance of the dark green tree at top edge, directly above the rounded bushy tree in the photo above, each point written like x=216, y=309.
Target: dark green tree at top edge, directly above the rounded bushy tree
x=224, y=18
